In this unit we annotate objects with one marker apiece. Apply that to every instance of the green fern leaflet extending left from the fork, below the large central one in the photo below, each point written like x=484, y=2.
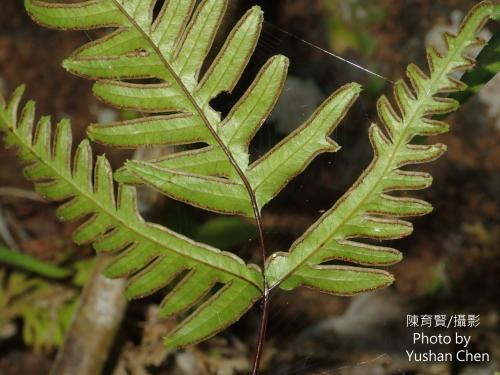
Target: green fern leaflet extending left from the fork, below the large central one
x=153, y=257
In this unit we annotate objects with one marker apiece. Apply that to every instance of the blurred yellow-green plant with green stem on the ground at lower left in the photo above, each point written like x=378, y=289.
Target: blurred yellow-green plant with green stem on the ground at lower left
x=41, y=300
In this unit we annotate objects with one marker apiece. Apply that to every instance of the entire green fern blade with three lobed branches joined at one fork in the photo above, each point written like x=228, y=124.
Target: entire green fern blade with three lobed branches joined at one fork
x=169, y=49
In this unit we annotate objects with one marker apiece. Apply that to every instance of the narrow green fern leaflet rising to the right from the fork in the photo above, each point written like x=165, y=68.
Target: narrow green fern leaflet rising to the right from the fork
x=368, y=209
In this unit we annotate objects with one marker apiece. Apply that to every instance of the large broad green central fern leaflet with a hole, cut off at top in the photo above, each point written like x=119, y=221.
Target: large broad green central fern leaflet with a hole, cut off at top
x=171, y=50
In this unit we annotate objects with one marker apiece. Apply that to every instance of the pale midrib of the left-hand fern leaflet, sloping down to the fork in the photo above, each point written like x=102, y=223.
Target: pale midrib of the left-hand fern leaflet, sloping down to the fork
x=110, y=211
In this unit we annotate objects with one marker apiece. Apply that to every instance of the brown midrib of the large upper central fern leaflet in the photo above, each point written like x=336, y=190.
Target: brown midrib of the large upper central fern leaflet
x=201, y=113
